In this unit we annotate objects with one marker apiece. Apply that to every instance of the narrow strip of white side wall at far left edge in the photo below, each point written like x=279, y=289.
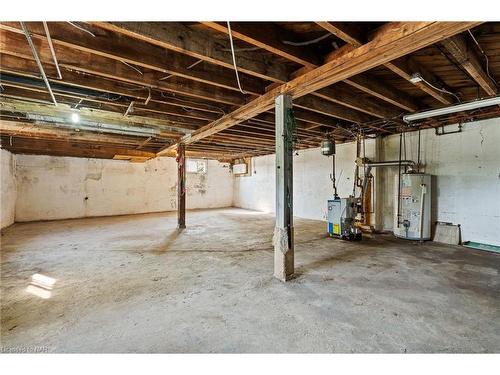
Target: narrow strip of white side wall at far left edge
x=8, y=190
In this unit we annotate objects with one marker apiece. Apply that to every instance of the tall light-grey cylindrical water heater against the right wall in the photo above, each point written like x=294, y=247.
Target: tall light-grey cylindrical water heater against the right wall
x=412, y=206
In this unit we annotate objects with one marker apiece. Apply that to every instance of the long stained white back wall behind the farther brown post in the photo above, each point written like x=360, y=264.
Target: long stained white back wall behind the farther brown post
x=64, y=187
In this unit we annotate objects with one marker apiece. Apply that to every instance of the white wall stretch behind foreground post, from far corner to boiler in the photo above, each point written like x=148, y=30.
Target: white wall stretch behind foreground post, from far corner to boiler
x=311, y=179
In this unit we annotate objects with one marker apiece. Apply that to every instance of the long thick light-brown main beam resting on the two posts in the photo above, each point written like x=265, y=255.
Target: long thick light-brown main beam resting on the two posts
x=396, y=40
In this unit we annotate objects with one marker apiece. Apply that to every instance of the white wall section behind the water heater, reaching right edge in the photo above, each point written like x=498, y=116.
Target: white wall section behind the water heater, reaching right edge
x=466, y=186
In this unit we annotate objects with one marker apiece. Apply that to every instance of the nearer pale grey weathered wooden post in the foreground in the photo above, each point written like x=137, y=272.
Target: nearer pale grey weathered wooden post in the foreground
x=283, y=232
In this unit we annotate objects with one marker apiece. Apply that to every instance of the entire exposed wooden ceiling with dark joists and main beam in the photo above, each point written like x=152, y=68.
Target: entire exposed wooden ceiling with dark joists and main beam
x=181, y=79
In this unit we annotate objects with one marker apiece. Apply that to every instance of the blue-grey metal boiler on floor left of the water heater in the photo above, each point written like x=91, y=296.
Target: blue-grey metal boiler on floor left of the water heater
x=342, y=218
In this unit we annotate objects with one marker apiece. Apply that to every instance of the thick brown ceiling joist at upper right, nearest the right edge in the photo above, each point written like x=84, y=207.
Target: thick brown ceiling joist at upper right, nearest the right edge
x=461, y=50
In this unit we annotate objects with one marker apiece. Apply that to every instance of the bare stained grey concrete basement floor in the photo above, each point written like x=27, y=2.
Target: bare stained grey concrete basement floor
x=135, y=284
